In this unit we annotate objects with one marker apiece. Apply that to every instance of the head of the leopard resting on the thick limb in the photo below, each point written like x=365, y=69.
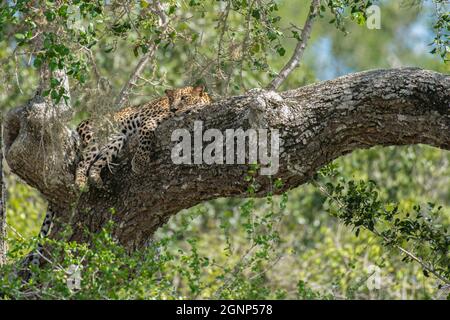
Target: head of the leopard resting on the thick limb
x=188, y=96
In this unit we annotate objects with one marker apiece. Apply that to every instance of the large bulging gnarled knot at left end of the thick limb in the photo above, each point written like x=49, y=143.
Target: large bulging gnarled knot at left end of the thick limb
x=40, y=149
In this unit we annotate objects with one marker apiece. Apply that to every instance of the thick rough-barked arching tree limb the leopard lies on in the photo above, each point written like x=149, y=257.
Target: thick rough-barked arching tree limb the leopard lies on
x=317, y=123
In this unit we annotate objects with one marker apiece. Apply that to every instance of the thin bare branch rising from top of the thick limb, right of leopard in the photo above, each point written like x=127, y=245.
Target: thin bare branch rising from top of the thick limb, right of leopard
x=294, y=61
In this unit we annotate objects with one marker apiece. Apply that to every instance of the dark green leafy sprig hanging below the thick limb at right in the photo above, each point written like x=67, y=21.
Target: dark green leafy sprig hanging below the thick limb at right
x=419, y=235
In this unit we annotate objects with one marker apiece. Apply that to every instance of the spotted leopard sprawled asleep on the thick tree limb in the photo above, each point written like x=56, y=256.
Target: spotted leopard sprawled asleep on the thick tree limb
x=133, y=121
